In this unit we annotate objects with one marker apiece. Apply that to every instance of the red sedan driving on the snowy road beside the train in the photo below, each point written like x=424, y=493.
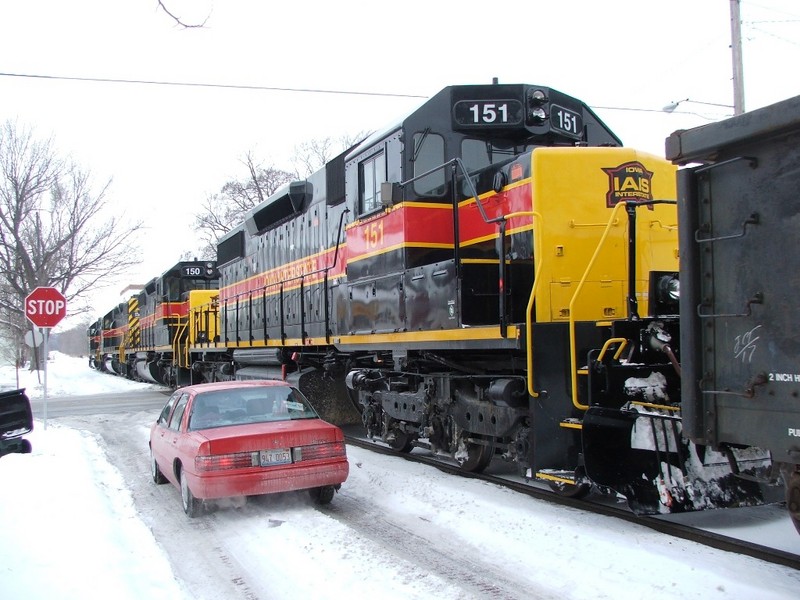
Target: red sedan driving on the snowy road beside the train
x=245, y=438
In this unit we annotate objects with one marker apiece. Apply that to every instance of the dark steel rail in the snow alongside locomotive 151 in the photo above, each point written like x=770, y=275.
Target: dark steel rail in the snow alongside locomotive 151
x=596, y=503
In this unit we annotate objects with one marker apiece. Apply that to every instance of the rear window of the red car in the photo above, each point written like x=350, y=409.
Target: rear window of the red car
x=249, y=405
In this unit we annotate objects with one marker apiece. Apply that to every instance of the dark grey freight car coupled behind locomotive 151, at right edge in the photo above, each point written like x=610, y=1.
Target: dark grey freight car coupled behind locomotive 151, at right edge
x=740, y=345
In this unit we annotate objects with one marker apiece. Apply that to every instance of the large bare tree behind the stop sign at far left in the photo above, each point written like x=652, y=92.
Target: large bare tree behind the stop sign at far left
x=54, y=229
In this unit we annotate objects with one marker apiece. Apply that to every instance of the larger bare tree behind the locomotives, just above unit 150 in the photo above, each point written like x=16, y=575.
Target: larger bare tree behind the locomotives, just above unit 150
x=222, y=211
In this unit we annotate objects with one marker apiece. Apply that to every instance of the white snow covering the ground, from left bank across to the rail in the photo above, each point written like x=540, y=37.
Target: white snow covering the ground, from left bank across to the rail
x=72, y=529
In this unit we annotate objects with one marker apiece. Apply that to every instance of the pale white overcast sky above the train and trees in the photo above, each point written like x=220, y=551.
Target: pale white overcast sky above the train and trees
x=167, y=147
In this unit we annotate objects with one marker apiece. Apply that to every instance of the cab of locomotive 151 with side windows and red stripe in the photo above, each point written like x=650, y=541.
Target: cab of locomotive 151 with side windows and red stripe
x=421, y=248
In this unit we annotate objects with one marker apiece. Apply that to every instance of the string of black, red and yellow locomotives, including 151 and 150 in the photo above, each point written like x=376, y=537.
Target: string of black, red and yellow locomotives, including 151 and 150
x=494, y=276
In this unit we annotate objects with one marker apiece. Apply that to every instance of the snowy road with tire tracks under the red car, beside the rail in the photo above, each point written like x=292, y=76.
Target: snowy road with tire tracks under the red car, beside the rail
x=402, y=530
